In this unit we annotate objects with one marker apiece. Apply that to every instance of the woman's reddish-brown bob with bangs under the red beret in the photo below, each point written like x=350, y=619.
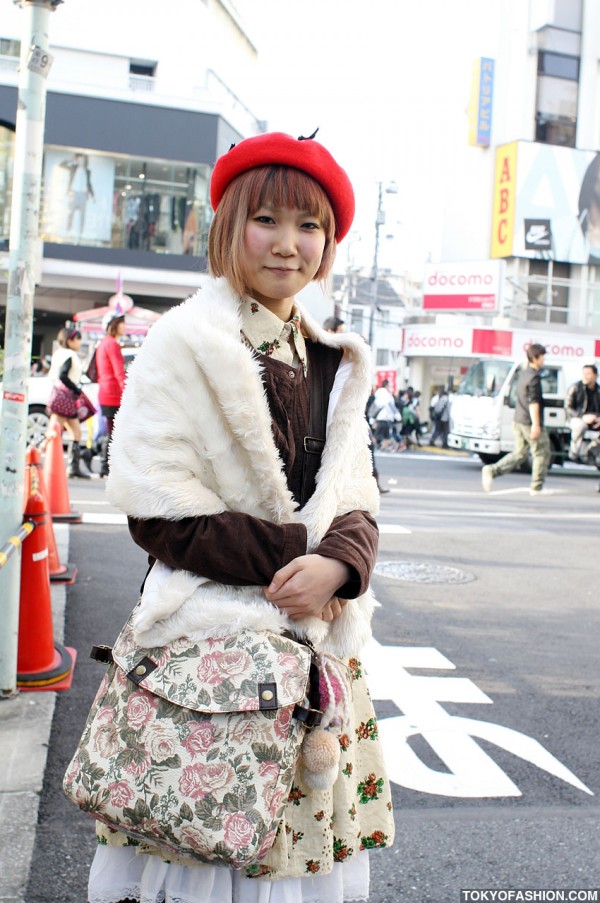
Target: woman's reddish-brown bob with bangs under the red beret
x=279, y=186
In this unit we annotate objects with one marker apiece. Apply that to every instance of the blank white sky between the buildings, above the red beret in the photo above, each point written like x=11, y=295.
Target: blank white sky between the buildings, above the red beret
x=387, y=82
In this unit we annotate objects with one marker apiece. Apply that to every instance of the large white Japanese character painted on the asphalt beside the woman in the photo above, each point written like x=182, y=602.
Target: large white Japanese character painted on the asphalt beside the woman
x=471, y=771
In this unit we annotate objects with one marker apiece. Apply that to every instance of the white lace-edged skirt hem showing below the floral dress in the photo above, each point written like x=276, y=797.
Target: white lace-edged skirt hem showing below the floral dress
x=118, y=873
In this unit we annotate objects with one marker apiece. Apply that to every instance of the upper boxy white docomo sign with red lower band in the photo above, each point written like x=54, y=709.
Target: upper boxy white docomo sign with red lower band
x=462, y=286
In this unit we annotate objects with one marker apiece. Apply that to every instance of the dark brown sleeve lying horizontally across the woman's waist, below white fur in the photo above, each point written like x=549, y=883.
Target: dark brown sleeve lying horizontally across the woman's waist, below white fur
x=231, y=548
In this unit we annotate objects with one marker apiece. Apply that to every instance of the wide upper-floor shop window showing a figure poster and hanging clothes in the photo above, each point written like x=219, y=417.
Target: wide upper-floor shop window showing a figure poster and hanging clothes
x=120, y=202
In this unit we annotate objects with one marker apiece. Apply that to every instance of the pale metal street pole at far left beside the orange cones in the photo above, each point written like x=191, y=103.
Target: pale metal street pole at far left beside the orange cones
x=24, y=228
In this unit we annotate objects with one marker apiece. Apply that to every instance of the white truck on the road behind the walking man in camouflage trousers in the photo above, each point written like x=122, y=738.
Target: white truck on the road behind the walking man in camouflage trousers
x=483, y=407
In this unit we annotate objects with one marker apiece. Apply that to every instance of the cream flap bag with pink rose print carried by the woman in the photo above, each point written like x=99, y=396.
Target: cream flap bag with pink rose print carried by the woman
x=193, y=746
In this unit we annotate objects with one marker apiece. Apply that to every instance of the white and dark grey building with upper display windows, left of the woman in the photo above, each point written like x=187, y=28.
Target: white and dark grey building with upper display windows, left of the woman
x=135, y=119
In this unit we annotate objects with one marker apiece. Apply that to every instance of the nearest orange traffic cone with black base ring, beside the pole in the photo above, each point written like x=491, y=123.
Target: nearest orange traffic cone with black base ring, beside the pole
x=42, y=664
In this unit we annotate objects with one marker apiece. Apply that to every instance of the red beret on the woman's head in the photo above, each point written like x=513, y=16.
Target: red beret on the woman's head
x=305, y=154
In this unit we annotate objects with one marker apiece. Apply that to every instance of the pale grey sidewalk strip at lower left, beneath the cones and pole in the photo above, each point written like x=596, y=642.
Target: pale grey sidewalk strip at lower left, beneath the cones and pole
x=25, y=724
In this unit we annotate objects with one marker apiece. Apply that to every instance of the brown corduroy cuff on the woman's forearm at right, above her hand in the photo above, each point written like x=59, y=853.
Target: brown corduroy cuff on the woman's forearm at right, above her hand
x=352, y=538
